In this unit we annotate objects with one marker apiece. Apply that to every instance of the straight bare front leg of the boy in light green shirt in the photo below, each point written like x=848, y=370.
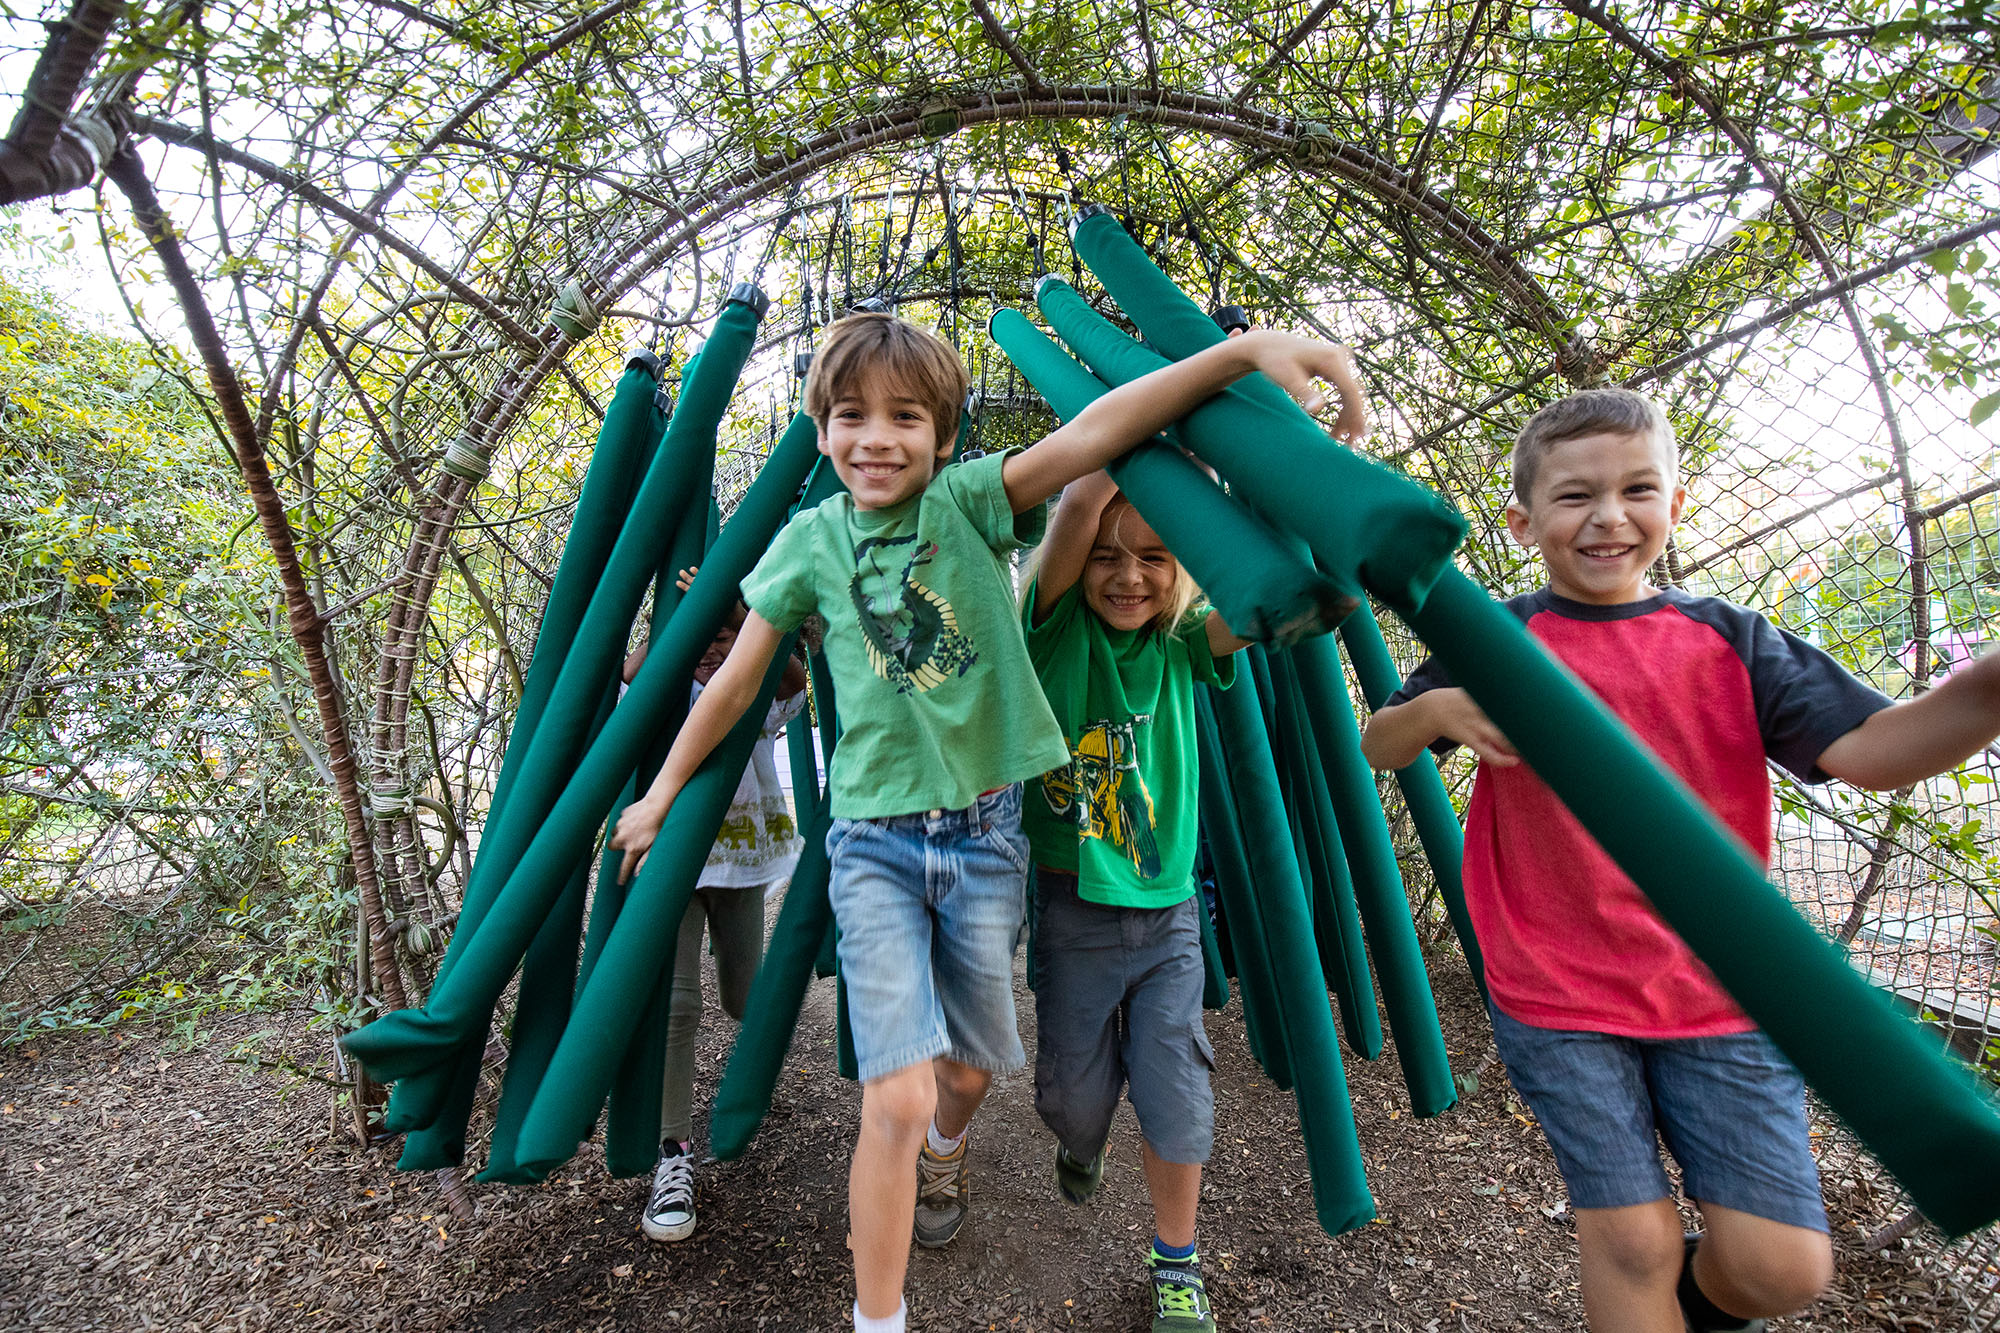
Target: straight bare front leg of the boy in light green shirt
x=883, y=1184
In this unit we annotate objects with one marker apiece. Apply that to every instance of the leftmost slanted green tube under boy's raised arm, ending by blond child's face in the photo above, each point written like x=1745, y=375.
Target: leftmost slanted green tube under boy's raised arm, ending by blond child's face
x=1243, y=567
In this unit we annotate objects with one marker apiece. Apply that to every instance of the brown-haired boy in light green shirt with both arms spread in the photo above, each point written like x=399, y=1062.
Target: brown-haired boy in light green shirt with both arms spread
x=941, y=724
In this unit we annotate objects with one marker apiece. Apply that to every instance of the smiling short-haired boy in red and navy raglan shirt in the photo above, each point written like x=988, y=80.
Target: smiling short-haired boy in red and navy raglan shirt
x=1609, y=1026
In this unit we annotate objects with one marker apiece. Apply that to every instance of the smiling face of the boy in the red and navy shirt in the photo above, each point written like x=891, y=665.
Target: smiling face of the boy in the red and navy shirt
x=1601, y=509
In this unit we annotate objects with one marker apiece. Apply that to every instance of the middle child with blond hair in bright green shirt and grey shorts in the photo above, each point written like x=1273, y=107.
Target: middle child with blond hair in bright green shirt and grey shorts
x=1119, y=946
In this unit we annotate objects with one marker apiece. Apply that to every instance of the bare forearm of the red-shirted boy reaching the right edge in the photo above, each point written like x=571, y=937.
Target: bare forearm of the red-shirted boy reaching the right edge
x=1923, y=738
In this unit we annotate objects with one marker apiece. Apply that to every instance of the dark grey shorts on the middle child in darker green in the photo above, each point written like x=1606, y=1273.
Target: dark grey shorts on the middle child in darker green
x=1119, y=1006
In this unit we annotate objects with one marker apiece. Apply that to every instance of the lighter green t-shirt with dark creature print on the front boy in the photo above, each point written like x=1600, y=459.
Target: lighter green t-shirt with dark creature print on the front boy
x=933, y=684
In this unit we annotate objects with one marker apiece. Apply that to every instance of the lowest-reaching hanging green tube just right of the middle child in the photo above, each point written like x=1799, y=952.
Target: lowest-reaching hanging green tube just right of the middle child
x=1319, y=1082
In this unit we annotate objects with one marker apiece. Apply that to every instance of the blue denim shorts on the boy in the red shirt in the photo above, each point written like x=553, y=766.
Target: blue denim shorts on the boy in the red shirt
x=1731, y=1110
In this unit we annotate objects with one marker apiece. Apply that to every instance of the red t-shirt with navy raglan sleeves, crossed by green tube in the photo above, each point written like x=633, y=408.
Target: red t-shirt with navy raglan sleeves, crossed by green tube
x=1713, y=690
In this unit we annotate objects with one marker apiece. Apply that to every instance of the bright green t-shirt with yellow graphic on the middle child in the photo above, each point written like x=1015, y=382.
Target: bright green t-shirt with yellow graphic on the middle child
x=1121, y=814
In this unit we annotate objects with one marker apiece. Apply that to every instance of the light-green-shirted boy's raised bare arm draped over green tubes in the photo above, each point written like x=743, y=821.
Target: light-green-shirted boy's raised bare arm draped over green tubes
x=1151, y=403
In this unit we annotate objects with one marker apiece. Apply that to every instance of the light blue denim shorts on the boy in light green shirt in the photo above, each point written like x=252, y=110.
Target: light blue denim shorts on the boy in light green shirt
x=929, y=910
